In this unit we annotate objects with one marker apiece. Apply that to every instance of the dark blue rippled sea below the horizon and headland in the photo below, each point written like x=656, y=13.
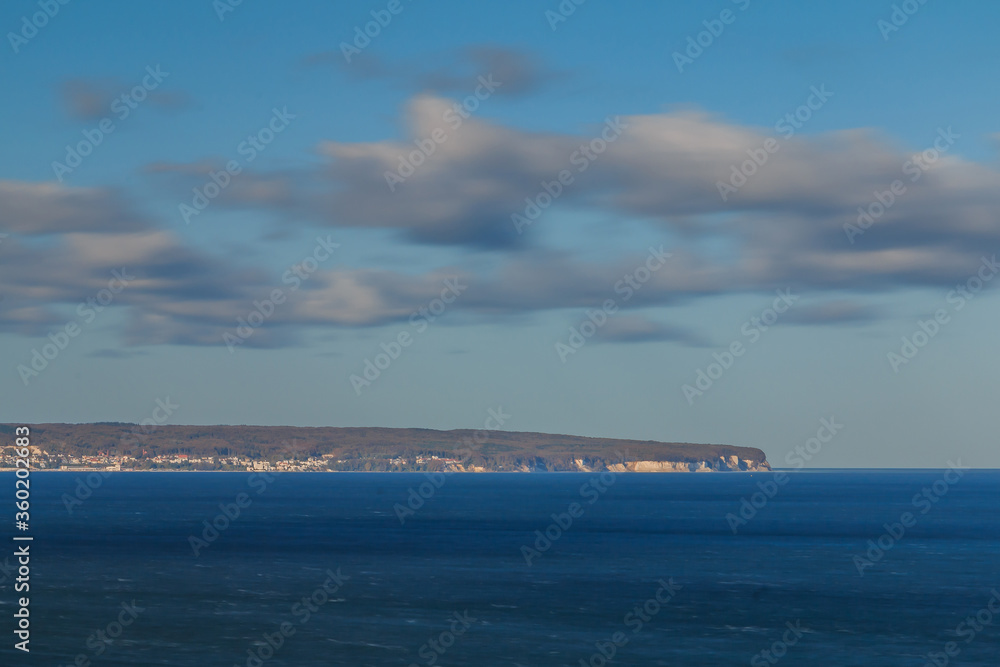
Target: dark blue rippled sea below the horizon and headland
x=401, y=585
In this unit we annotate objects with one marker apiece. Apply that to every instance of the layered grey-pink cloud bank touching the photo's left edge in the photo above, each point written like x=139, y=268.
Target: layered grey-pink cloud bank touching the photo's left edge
x=89, y=236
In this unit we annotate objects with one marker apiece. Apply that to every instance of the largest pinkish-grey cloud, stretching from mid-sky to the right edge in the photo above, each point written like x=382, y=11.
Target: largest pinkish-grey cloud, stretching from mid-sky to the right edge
x=786, y=225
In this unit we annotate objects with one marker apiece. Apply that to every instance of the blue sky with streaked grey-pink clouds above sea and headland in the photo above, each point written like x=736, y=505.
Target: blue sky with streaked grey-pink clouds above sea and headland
x=761, y=224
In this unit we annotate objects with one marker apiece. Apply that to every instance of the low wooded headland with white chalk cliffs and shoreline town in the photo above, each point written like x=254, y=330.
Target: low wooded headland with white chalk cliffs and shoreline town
x=120, y=446
